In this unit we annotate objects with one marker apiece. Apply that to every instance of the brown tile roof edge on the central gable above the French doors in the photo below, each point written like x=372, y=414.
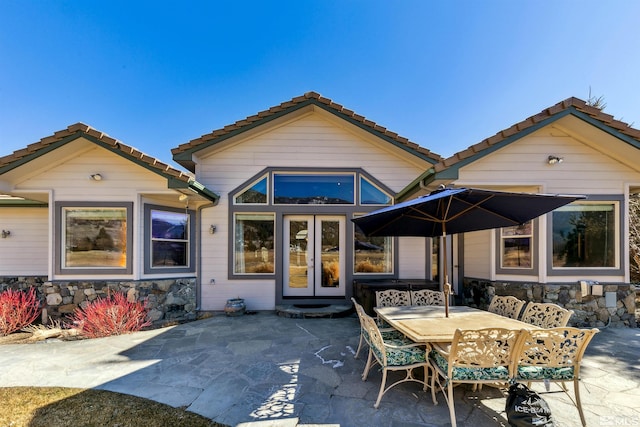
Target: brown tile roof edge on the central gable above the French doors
x=308, y=98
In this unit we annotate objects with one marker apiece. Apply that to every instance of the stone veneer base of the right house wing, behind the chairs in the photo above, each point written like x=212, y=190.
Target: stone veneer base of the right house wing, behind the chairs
x=589, y=310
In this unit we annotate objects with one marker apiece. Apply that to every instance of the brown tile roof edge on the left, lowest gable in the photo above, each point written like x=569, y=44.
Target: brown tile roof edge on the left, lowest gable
x=80, y=129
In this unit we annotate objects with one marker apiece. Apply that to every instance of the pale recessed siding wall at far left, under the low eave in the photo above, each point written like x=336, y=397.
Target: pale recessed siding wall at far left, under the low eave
x=24, y=252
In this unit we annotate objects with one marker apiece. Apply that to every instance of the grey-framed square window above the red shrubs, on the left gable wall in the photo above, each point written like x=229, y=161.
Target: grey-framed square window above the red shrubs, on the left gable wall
x=93, y=237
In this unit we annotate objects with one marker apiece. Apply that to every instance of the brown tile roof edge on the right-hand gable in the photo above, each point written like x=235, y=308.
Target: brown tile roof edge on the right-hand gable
x=569, y=103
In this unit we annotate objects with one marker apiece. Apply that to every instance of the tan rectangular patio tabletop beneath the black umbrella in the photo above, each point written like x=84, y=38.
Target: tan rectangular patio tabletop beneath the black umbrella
x=428, y=324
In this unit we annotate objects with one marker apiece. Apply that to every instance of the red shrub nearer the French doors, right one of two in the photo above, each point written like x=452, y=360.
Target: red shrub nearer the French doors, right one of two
x=113, y=315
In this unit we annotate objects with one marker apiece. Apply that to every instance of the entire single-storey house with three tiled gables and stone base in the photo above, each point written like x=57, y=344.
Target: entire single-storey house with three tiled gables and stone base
x=263, y=212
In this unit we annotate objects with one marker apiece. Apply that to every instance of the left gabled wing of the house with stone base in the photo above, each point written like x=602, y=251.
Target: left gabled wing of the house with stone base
x=84, y=214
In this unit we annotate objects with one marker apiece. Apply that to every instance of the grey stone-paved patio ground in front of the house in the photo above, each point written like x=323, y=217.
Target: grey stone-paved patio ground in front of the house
x=270, y=370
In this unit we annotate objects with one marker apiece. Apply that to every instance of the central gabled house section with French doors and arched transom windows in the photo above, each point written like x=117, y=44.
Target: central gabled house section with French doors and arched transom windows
x=290, y=180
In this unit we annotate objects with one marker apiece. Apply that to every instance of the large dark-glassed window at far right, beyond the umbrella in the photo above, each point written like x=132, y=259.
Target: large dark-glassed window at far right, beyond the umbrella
x=585, y=235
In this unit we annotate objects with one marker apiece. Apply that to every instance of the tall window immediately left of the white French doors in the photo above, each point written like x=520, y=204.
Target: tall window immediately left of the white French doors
x=253, y=243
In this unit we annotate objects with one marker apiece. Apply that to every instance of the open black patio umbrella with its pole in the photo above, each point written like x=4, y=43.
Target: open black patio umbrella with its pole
x=458, y=210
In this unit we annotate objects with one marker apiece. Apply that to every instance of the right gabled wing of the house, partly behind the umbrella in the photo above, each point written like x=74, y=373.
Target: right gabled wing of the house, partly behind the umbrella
x=577, y=256
